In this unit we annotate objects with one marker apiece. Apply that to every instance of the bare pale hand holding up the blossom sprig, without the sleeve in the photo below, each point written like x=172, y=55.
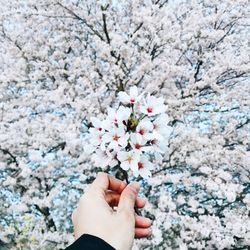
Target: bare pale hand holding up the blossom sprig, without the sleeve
x=95, y=213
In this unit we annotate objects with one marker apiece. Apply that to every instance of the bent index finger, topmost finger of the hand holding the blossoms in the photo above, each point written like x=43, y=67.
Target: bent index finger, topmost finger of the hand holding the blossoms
x=104, y=182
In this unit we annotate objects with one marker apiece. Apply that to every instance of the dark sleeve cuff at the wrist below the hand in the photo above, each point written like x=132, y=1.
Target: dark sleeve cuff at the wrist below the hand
x=89, y=242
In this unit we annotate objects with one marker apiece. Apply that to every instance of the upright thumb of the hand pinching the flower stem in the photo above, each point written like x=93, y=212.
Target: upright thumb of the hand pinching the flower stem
x=128, y=198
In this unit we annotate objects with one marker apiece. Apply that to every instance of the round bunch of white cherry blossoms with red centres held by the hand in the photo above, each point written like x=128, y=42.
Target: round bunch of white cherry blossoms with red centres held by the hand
x=132, y=135
